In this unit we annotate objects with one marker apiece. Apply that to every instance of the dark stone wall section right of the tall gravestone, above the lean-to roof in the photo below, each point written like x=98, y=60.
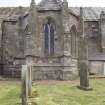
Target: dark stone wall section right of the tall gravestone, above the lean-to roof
x=92, y=32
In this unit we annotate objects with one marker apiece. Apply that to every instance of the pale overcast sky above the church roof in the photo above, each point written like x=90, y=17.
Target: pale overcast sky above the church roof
x=97, y=3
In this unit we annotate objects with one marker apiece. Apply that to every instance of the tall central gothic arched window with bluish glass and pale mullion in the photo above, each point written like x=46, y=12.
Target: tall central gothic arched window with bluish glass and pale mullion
x=49, y=30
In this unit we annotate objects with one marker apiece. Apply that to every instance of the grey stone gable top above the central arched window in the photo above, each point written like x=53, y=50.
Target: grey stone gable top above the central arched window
x=49, y=5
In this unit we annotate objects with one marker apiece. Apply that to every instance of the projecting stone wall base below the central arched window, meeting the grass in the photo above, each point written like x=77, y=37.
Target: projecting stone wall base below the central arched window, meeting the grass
x=54, y=73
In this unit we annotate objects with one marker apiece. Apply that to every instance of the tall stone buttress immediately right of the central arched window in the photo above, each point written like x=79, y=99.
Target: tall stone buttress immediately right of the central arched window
x=66, y=71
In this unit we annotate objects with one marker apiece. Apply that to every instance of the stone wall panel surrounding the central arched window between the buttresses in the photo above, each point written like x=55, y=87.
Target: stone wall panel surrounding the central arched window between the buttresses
x=56, y=17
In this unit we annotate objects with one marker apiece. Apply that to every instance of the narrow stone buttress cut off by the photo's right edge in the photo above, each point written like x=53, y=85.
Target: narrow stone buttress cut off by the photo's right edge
x=102, y=26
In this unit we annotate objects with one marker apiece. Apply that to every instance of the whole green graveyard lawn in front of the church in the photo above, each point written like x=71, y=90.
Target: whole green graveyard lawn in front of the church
x=54, y=93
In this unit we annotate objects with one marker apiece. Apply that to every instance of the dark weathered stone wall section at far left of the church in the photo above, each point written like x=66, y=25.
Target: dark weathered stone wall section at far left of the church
x=12, y=60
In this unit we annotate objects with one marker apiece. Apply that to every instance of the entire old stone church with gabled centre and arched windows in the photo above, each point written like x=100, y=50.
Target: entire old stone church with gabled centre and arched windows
x=52, y=37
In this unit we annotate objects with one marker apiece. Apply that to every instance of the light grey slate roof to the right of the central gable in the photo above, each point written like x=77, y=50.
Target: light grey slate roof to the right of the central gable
x=90, y=13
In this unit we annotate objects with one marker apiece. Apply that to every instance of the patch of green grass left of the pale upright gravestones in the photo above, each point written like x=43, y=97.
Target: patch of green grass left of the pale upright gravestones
x=9, y=93
